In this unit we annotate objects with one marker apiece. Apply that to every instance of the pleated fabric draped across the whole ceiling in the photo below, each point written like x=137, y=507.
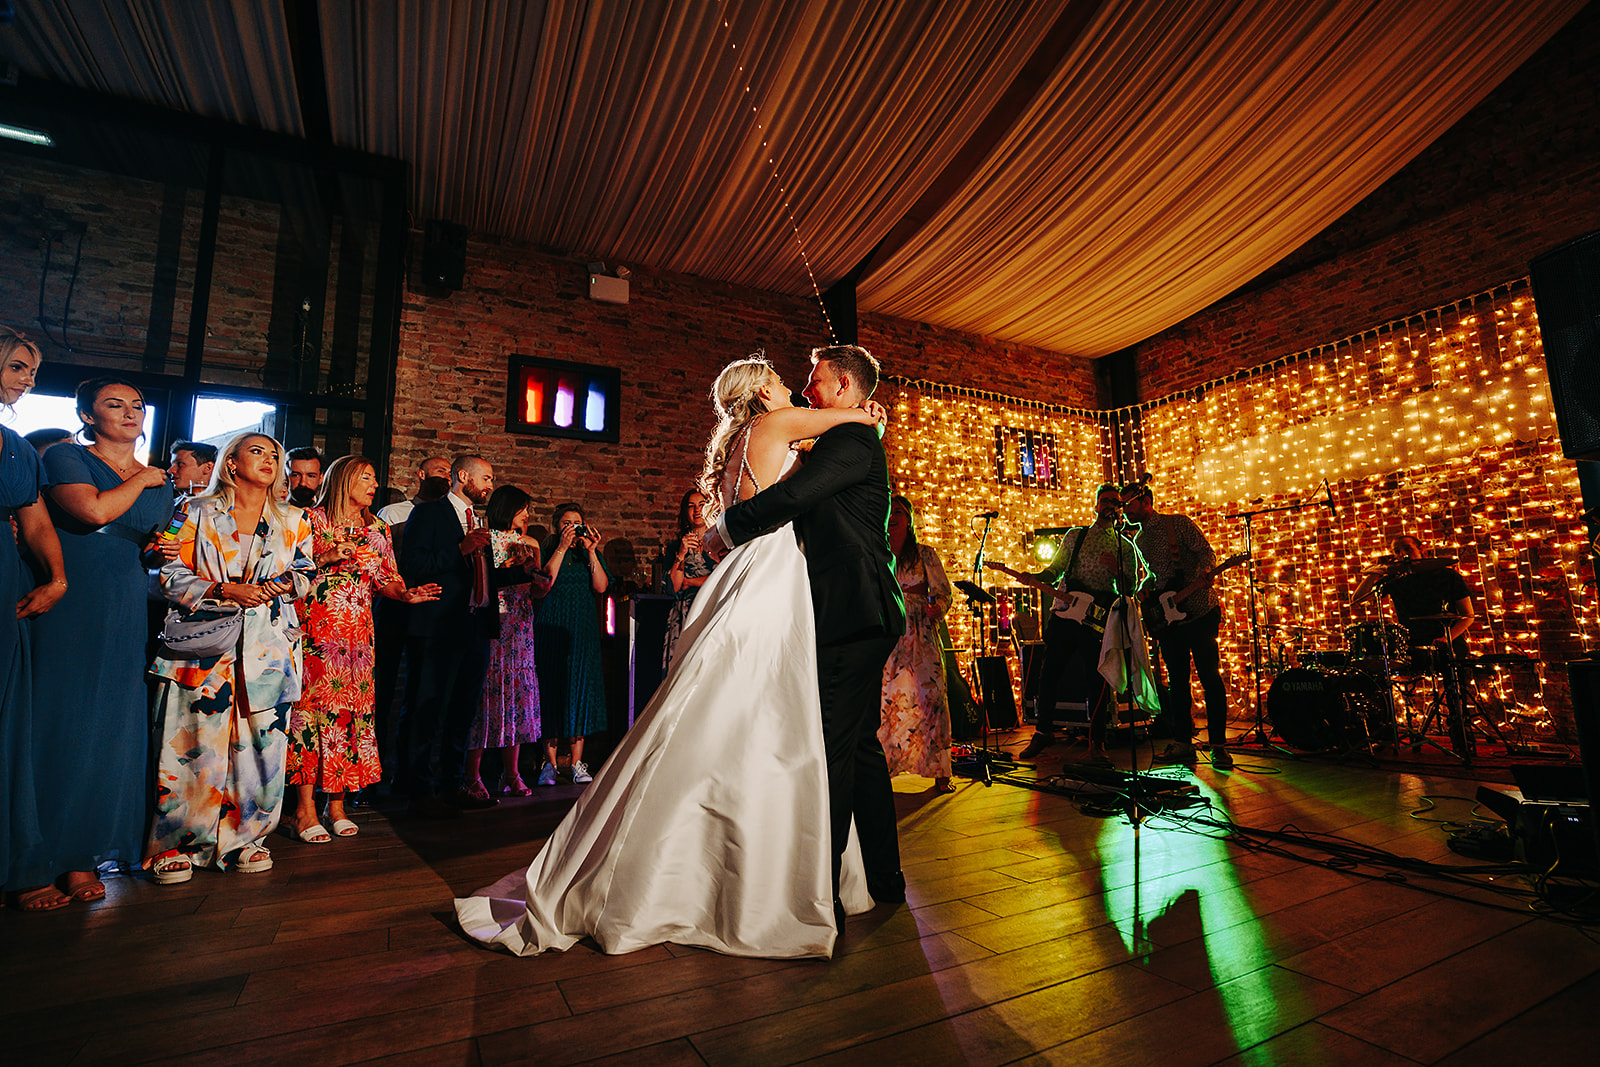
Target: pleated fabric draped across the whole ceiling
x=1172, y=151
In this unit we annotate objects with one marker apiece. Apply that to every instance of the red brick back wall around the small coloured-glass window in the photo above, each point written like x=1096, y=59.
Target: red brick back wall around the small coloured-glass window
x=670, y=343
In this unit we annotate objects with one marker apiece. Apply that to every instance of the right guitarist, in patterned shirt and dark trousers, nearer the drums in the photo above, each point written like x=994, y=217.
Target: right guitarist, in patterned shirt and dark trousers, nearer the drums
x=1178, y=553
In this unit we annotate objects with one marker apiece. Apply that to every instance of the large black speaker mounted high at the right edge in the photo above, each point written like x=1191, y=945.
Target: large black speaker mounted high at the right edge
x=1567, y=297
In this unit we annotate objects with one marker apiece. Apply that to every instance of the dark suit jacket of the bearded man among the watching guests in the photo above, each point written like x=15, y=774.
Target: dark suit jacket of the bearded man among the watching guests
x=433, y=554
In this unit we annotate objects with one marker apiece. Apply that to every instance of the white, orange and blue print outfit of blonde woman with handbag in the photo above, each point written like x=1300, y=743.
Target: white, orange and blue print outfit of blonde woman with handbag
x=220, y=778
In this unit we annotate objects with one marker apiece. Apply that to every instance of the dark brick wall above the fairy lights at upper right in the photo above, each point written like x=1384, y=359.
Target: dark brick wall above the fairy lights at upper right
x=1514, y=178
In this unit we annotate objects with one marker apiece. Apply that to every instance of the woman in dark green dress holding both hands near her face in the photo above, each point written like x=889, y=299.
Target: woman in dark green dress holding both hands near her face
x=572, y=690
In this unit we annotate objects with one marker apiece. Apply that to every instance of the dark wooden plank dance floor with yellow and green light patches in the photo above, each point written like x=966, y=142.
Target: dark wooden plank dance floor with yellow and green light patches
x=1034, y=933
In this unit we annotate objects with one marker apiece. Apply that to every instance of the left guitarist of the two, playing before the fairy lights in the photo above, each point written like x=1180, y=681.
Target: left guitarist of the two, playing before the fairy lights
x=1102, y=562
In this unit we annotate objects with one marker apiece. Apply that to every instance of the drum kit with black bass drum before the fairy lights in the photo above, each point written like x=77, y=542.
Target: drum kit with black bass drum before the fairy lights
x=1345, y=700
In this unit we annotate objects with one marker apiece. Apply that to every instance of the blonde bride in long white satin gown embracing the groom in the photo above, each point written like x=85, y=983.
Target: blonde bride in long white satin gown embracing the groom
x=710, y=823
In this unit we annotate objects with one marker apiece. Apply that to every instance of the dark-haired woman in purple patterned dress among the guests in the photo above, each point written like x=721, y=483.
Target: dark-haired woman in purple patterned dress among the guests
x=510, y=714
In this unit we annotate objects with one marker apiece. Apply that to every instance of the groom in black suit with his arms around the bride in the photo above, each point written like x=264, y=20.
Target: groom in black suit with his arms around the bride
x=839, y=503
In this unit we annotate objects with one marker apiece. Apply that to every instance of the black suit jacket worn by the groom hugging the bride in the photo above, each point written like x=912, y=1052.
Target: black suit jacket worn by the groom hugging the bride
x=839, y=503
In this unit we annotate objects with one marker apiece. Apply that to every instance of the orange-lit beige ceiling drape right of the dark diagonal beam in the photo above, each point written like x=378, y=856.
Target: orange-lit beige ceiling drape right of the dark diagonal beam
x=1185, y=148
